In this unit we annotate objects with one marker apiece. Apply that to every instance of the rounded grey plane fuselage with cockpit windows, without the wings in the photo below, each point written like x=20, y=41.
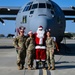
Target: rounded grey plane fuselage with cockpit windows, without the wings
x=45, y=13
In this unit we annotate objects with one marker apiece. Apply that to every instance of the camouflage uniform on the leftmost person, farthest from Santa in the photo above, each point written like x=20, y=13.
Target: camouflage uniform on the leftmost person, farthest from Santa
x=19, y=41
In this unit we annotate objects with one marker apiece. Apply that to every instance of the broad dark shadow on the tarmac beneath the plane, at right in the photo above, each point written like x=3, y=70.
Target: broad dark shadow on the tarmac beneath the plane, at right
x=66, y=49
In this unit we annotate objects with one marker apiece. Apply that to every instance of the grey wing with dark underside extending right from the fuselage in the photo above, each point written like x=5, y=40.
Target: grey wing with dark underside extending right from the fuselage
x=69, y=12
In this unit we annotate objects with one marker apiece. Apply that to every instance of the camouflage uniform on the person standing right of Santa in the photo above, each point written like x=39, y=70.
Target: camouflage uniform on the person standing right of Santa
x=50, y=54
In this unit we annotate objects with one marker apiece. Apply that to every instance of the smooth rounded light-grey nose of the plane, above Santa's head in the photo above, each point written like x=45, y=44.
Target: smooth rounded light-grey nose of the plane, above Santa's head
x=39, y=21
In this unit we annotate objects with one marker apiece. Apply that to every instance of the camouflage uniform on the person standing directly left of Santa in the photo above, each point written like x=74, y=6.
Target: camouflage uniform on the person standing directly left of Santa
x=30, y=45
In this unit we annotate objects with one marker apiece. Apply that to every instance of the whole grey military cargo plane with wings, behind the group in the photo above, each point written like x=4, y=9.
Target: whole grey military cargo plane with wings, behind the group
x=40, y=12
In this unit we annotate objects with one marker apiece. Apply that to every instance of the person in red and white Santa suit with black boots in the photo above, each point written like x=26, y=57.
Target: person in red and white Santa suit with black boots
x=40, y=48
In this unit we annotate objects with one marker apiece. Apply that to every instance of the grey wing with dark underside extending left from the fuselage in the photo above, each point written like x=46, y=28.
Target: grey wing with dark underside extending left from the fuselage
x=8, y=13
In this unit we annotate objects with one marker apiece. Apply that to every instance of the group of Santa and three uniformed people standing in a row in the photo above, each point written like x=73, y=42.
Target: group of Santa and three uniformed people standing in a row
x=37, y=46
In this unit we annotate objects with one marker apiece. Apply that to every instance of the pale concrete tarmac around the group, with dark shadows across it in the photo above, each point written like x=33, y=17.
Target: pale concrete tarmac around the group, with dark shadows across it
x=64, y=61
